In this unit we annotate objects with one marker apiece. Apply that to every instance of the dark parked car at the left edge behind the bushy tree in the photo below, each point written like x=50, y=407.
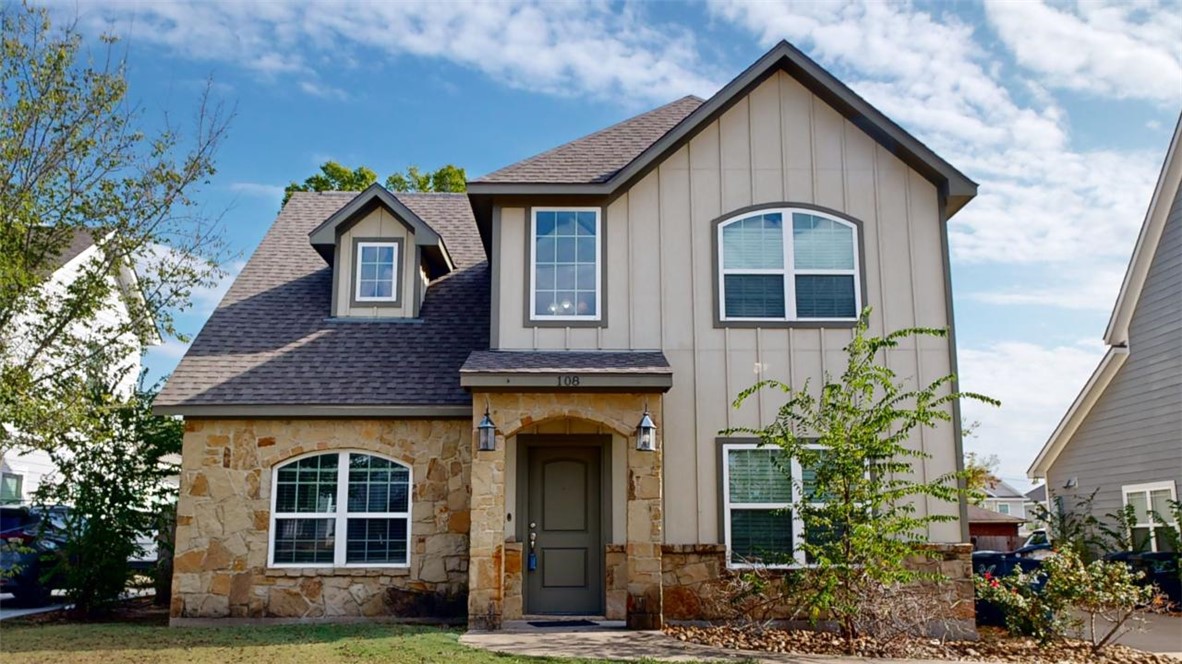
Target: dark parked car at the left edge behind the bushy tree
x=30, y=539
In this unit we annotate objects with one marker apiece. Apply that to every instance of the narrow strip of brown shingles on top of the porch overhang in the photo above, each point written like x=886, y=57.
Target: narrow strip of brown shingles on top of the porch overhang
x=583, y=362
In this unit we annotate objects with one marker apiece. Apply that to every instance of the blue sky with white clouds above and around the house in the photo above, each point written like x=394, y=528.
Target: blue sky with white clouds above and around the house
x=1061, y=112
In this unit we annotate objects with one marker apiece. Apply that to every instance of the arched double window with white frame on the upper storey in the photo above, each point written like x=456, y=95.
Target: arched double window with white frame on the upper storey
x=789, y=264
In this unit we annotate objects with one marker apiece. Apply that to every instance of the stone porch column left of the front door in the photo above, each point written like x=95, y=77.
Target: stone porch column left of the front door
x=486, y=565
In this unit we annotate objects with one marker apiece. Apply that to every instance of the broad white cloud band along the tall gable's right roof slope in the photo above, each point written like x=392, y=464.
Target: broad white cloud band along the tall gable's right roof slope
x=1041, y=200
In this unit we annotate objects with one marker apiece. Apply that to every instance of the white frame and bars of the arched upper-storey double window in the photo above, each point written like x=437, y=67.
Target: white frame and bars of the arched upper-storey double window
x=789, y=272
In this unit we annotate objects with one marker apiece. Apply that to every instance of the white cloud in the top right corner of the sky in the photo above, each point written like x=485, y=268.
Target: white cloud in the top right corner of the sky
x=1126, y=49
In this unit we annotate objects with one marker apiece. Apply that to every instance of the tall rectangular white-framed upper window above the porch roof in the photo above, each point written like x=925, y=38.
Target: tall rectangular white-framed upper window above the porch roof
x=567, y=270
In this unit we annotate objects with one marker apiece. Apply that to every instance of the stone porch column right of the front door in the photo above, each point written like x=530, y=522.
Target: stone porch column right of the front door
x=645, y=532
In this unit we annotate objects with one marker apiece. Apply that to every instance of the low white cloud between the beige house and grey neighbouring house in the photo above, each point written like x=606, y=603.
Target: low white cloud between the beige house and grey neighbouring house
x=1036, y=385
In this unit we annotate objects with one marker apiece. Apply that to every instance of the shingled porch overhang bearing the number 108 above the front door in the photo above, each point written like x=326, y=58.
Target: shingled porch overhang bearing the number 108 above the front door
x=615, y=372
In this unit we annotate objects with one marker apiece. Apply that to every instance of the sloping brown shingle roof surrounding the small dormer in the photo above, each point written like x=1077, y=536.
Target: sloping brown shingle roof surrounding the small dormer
x=271, y=341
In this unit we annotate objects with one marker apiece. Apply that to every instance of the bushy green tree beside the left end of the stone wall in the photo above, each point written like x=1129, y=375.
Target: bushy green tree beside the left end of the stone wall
x=114, y=476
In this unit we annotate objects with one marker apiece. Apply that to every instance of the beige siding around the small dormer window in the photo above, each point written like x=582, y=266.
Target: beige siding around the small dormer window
x=379, y=224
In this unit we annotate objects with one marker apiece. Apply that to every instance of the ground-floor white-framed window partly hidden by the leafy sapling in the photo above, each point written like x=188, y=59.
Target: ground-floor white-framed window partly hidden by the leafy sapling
x=759, y=524
